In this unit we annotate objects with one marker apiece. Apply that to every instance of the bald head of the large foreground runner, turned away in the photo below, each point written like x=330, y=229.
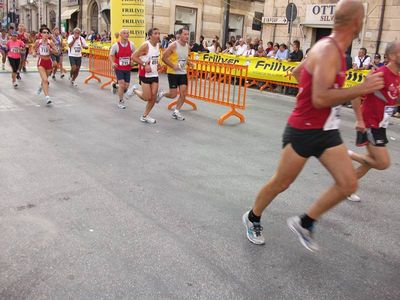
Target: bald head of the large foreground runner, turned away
x=349, y=16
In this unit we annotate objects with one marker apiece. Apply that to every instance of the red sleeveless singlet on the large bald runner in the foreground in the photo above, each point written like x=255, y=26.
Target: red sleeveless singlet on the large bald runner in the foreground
x=305, y=115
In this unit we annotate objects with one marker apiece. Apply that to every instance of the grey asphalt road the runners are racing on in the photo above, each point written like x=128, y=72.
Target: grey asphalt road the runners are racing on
x=96, y=205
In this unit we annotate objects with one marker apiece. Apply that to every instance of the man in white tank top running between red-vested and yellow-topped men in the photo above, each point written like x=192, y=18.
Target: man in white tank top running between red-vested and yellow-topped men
x=147, y=57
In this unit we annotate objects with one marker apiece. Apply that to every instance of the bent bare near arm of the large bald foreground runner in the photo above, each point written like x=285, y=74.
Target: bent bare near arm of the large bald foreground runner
x=324, y=94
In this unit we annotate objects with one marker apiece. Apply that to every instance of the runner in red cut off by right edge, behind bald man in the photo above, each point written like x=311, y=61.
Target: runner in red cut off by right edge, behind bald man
x=373, y=116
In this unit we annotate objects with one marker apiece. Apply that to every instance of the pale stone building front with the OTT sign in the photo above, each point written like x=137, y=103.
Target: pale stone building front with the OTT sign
x=315, y=20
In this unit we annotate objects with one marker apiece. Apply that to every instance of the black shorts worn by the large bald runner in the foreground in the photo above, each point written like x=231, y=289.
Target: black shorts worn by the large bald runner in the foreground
x=311, y=142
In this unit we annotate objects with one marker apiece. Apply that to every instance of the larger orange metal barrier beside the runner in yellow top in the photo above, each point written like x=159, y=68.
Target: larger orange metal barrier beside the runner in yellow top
x=217, y=83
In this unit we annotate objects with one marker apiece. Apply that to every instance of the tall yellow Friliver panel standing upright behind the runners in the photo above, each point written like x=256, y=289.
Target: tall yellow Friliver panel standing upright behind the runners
x=129, y=14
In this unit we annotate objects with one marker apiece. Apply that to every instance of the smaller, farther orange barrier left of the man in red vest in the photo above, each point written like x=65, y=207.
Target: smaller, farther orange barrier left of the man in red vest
x=100, y=65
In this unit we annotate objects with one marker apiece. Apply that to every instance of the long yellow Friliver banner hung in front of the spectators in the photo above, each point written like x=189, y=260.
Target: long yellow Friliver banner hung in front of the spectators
x=270, y=69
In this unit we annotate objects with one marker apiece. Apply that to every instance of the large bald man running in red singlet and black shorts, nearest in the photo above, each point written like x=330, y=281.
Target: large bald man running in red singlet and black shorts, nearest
x=312, y=128
